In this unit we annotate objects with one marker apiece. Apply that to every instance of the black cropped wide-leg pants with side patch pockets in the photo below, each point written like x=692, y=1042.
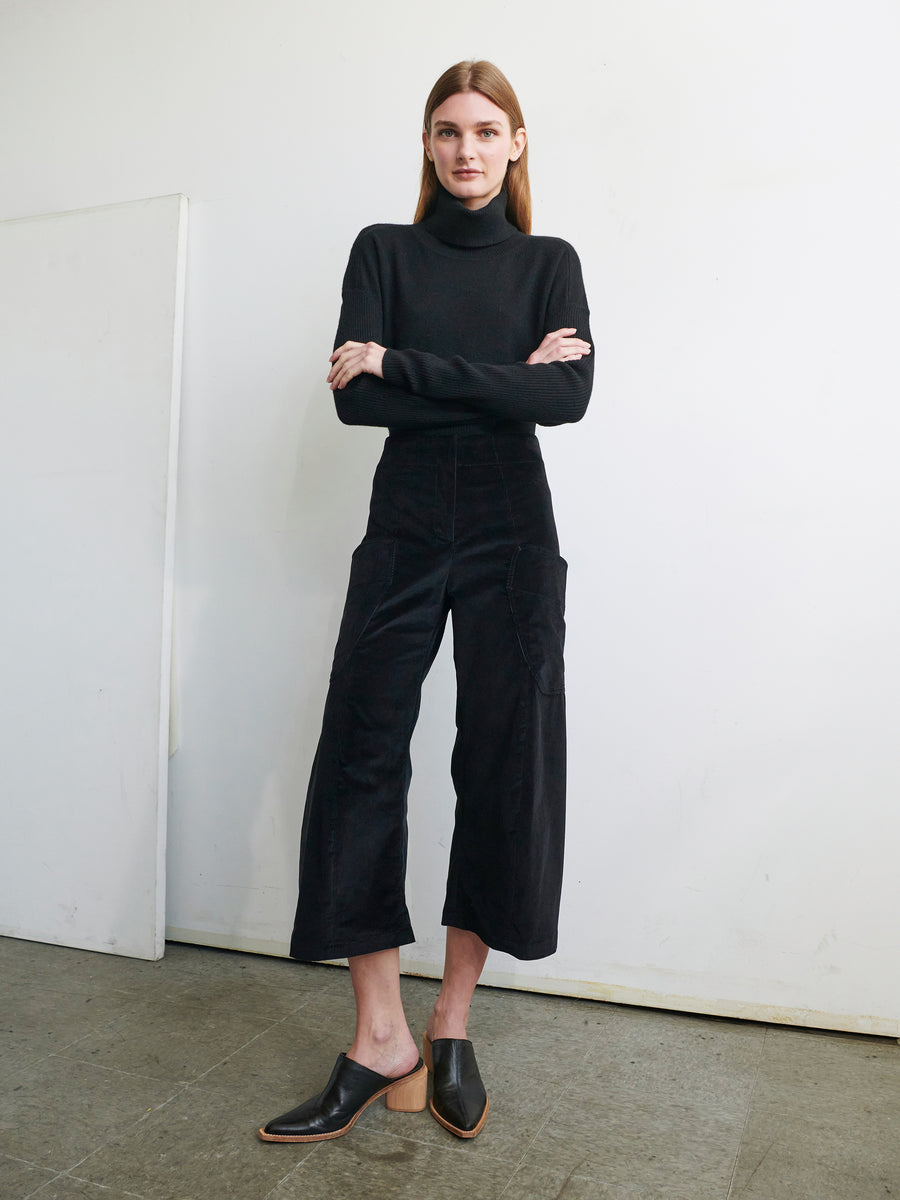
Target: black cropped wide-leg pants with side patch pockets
x=460, y=525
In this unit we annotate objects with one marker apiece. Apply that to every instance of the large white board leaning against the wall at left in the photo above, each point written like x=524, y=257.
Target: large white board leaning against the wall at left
x=92, y=319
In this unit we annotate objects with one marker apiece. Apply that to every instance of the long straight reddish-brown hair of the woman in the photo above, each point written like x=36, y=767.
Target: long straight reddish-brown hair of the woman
x=491, y=82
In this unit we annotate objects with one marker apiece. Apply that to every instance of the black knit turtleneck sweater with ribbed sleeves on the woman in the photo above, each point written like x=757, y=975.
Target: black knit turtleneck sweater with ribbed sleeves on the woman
x=461, y=301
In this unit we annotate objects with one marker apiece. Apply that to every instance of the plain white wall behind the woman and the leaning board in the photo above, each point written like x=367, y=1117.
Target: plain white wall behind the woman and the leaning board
x=729, y=173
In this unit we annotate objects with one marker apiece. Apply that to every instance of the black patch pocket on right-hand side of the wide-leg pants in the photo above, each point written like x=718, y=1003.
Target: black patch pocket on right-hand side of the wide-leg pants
x=537, y=596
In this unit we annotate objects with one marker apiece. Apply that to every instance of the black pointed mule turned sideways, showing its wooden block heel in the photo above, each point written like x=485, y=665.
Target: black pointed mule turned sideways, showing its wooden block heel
x=351, y=1090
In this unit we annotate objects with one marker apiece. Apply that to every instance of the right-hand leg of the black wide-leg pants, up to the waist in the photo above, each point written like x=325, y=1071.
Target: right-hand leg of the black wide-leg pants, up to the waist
x=509, y=760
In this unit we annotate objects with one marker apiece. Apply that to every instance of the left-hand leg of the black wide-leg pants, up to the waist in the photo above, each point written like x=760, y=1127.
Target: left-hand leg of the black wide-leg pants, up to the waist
x=353, y=853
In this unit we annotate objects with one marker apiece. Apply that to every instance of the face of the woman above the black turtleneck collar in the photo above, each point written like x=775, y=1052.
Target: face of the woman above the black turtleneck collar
x=471, y=145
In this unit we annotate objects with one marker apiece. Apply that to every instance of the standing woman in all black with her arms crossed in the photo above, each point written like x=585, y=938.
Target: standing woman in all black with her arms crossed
x=458, y=333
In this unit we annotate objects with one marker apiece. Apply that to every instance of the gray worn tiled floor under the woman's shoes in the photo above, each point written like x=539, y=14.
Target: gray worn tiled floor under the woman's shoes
x=127, y=1079
